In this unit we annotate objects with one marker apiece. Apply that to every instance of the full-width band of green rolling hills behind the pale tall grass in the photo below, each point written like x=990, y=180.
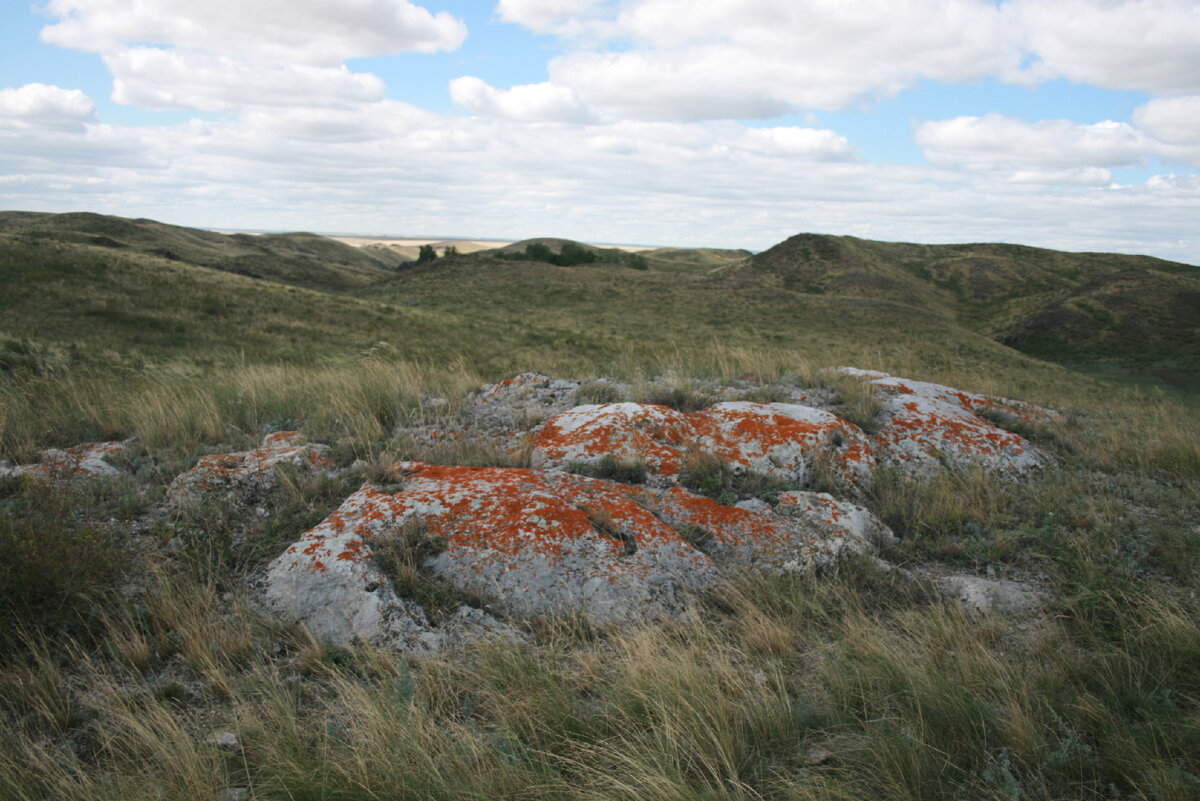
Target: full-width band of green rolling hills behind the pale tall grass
x=94, y=282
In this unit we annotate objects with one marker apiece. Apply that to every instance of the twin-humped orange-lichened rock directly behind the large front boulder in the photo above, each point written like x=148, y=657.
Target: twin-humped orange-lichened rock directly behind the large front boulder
x=776, y=439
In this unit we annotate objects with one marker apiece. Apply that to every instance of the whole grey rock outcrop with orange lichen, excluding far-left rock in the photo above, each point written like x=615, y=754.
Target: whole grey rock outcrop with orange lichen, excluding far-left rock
x=543, y=540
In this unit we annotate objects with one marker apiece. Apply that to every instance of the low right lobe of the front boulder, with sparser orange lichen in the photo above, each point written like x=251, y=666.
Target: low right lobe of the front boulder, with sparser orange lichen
x=779, y=541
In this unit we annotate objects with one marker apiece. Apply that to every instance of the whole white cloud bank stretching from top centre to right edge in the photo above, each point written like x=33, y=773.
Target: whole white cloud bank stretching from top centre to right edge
x=737, y=59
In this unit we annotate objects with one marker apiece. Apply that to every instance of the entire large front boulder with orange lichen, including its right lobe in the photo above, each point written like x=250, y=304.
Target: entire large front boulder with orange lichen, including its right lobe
x=542, y=543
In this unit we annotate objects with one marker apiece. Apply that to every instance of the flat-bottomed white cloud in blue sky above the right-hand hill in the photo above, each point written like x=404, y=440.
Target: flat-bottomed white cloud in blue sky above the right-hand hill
x=1053, y=152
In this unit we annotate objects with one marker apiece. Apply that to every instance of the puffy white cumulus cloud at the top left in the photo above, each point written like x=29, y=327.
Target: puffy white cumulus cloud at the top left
x=227, y=55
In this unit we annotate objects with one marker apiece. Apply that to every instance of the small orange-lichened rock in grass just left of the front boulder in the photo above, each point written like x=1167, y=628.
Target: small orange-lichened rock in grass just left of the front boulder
x=251, y=471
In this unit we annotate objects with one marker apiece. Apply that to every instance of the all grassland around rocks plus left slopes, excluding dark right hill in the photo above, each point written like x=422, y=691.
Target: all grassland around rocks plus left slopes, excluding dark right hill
x=131, y=634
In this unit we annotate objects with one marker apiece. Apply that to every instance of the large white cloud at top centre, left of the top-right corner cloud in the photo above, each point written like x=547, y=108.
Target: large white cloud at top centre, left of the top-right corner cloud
x=737, y=59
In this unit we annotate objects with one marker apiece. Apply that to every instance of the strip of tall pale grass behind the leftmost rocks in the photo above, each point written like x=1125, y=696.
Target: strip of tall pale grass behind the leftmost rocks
x=183, y=407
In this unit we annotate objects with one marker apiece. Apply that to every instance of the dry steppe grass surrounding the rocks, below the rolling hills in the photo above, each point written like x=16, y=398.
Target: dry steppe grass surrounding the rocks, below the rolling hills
x=848, y=685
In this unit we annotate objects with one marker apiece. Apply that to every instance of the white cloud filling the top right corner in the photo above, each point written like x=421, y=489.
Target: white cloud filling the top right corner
x=1151, y=46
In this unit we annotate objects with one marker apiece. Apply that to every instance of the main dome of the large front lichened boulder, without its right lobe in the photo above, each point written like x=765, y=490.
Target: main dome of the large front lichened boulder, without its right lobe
x=529, y=541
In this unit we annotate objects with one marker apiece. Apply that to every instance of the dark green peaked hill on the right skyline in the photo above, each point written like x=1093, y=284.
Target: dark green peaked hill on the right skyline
x=1097, y=310
